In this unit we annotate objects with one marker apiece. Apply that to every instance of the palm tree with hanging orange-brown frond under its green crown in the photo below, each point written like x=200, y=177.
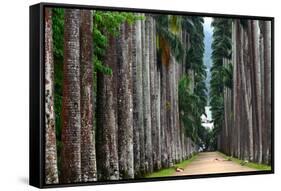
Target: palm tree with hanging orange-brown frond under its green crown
x=168, y=47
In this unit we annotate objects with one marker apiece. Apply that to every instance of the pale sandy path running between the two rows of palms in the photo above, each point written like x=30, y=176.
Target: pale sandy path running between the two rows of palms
x=212, y=162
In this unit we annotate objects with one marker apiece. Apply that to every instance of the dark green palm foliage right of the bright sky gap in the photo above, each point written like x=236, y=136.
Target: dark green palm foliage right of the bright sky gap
x=221, y=75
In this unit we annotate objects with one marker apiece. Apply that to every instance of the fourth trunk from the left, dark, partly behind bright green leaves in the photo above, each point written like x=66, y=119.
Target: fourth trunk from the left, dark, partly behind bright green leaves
x=107, y=155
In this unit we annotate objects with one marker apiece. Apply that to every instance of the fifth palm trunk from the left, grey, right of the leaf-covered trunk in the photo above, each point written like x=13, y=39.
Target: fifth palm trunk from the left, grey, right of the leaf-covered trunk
x=125, y=104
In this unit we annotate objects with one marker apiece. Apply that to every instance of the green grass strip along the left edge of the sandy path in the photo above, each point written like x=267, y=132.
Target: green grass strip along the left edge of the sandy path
x=170, y=171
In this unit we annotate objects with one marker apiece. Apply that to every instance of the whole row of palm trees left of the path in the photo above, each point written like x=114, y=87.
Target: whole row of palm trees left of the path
x=124, y=116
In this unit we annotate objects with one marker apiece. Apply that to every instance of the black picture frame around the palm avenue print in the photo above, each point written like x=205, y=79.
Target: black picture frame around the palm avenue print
x=36, y=93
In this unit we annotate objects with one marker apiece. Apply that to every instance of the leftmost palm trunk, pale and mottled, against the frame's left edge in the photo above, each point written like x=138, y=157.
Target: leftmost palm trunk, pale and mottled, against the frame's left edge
x=51, y=169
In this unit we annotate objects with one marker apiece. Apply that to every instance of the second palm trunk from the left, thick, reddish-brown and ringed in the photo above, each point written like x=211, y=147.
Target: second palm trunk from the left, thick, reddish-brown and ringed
x=71, y=113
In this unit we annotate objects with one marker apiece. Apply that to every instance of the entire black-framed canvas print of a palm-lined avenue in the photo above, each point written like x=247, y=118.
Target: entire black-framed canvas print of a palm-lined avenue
x=121, y=95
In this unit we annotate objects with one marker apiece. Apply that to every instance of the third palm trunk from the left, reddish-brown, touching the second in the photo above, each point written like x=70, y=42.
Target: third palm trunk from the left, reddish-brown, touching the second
x=88, y=152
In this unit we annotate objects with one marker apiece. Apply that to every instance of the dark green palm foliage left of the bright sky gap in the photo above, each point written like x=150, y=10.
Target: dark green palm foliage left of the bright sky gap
x=192, y=100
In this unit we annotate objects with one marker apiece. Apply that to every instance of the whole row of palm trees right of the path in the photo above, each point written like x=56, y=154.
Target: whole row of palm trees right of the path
x=241, y=88
